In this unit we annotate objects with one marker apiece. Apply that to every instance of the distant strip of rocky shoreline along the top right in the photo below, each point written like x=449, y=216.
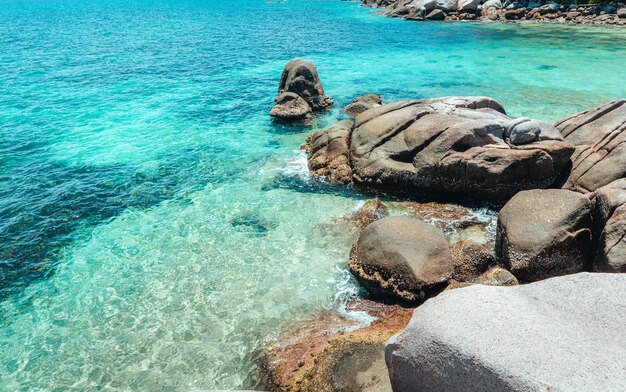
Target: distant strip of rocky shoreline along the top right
x=508, y=10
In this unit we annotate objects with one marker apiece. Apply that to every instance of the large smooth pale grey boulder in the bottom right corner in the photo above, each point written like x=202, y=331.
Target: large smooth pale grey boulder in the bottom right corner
x=561, y=334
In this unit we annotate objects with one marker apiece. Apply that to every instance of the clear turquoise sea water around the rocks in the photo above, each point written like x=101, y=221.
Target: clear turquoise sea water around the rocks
x=156, y=228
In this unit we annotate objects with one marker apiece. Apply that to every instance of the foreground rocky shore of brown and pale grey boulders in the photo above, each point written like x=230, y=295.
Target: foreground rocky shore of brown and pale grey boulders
x=534, y=303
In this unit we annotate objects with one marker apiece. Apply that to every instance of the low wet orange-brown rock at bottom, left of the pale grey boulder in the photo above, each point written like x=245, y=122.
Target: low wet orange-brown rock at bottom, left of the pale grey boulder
x=333, y=353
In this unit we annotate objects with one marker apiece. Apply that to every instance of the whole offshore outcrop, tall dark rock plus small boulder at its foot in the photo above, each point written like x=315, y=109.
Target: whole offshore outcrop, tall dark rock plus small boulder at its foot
x=300, y=78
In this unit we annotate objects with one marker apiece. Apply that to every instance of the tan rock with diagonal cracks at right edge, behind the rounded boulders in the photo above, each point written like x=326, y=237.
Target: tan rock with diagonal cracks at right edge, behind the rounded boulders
x=599, y=136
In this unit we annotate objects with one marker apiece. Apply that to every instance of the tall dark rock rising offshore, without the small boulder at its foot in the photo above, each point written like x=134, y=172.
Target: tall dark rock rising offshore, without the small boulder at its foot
x=300, y=77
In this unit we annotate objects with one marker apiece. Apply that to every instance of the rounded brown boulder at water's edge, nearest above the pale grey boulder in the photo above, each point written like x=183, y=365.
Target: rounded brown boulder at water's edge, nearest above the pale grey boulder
x=400, y=258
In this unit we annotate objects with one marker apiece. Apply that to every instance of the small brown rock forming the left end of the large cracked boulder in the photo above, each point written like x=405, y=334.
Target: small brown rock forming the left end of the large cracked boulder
x=328, y=152
